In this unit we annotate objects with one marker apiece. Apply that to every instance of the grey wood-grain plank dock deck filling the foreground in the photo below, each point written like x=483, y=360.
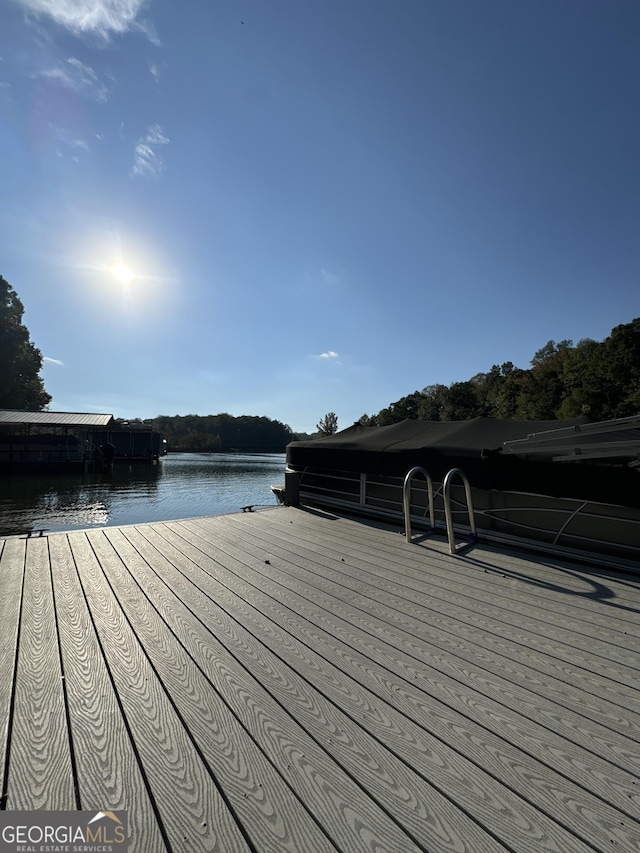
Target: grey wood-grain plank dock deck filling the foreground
x=288, y=680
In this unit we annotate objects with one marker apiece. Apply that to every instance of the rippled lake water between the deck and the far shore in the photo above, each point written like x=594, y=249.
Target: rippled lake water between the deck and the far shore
x=181, y=485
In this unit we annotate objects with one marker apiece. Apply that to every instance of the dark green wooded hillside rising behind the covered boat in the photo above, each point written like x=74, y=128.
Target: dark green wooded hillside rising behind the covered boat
x=598, y=379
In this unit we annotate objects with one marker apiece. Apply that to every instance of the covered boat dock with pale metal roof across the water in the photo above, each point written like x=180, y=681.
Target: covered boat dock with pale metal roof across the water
x=73, y=441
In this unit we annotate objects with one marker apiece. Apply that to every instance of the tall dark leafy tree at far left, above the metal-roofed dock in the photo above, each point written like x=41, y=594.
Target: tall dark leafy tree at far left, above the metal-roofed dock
x=21, y=387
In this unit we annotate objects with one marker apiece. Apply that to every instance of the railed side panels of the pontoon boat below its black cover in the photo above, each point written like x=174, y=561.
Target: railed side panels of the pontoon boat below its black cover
x=599, y=533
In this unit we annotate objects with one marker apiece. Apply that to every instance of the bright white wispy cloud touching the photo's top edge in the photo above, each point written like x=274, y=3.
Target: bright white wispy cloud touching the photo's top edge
x=102, y=18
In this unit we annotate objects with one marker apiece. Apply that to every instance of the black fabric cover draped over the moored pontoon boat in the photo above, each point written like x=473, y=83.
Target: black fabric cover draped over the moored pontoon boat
x=475, y=446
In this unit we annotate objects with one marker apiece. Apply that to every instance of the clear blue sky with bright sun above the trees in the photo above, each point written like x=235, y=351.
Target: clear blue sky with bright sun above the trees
x=326, y=204
